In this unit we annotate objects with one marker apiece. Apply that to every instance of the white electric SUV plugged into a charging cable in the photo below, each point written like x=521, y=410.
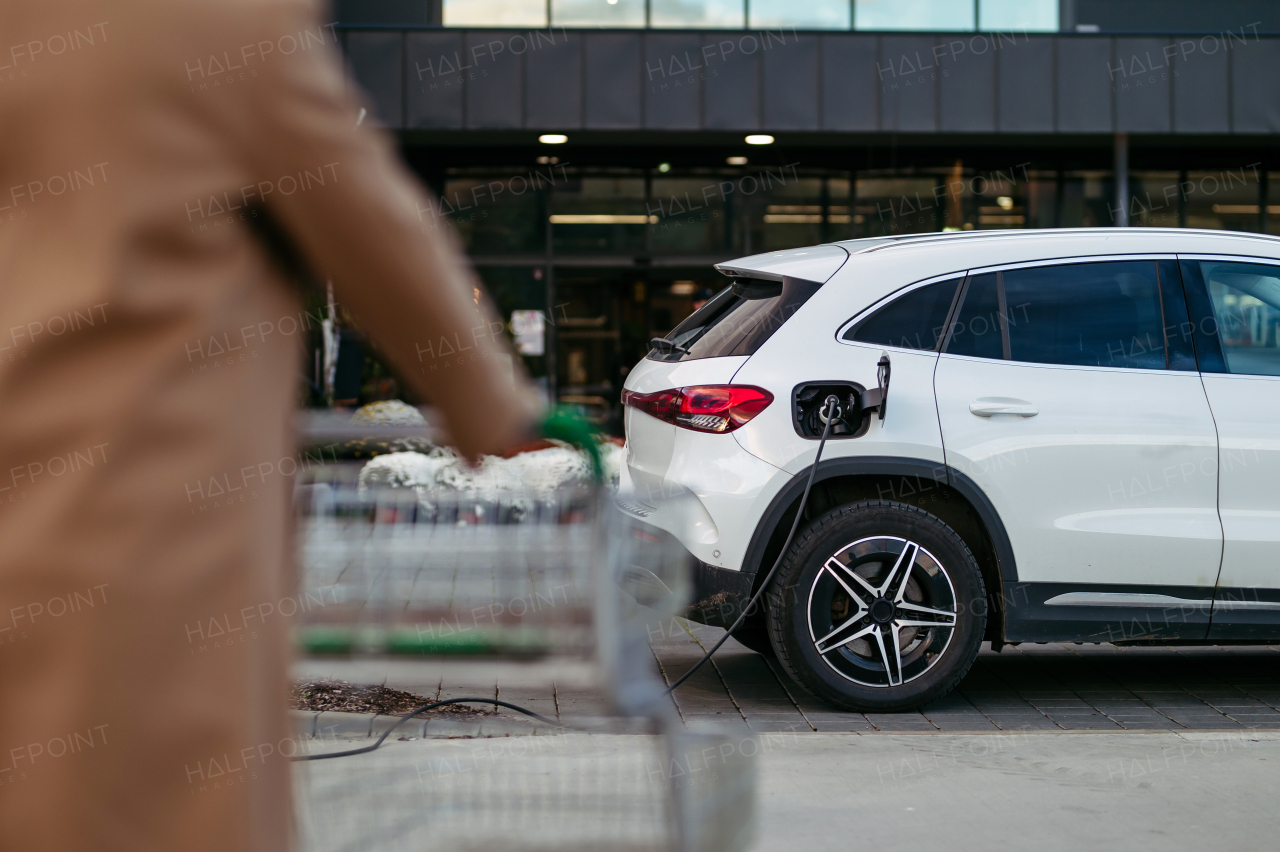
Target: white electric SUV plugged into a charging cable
x=1080, y=441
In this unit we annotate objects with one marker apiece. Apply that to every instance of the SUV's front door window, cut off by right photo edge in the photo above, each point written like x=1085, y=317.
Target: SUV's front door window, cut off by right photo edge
x=1247, y=312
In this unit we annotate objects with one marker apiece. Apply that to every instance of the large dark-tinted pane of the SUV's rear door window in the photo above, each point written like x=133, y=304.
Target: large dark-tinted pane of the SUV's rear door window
x=1091, y=315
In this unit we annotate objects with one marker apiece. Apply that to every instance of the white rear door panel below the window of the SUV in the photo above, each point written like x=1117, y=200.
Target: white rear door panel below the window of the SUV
x=1113, y=482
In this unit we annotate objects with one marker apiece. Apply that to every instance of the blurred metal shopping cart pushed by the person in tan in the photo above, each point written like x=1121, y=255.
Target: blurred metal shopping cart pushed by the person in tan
x=499, y=576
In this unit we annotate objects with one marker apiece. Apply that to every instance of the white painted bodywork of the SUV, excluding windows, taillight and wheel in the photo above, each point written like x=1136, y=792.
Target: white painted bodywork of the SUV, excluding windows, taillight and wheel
x=1109, y=494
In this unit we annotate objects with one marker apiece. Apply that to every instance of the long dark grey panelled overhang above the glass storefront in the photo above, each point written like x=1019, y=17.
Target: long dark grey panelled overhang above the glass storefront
x=784, y=81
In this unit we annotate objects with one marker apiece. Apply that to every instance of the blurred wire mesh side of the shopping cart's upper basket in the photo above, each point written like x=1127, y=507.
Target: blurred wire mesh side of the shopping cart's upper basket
x=447, y=574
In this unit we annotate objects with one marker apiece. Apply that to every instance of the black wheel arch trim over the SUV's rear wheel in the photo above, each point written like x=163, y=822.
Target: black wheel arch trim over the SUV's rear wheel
x=932, y=487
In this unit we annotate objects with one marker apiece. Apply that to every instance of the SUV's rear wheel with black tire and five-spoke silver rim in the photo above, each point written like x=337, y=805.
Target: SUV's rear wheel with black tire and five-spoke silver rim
x=843, y=594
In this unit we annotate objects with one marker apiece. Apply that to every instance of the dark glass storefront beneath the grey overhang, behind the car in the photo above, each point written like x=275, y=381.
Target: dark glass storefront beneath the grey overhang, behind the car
x=615, y=256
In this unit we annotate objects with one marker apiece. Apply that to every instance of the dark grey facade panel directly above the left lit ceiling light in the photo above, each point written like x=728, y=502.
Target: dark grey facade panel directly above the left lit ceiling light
x=554, y=81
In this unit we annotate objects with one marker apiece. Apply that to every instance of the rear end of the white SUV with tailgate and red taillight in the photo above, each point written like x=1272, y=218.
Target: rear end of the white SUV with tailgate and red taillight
x=685, y=473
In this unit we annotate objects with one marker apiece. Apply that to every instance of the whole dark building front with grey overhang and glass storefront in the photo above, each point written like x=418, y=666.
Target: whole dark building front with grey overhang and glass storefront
x=595, y=246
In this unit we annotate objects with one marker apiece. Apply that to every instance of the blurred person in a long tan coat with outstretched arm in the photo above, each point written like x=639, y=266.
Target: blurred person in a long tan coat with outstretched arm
x=164, y=167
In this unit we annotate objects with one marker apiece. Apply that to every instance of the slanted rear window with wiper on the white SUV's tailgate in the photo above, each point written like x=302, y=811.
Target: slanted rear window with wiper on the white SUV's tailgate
x=737, y=322
